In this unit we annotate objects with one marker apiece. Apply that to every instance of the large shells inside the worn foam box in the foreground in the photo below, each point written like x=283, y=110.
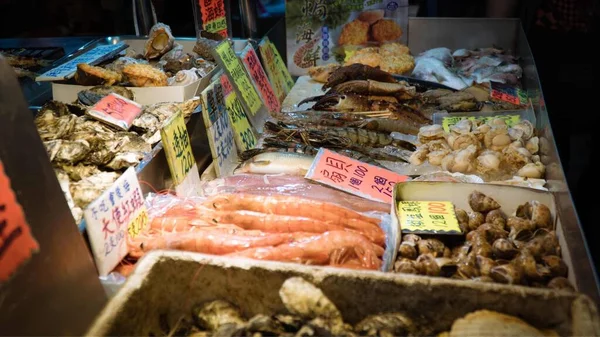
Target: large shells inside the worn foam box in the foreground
x=311, y=313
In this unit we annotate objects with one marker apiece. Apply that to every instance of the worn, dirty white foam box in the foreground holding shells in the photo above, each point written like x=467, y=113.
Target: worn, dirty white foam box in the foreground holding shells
x=166, y=285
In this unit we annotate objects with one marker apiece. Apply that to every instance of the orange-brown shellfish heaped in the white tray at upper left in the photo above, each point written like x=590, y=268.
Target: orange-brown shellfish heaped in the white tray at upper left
x=162, y=63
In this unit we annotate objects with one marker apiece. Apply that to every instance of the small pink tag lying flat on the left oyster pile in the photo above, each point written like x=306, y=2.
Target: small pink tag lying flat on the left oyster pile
x=116, y=110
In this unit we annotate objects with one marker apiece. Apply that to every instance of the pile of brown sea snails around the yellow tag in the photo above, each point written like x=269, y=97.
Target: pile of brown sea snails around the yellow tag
x=520, y=249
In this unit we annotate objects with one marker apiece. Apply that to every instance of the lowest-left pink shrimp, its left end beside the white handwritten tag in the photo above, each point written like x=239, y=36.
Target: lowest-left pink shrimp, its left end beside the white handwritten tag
x=216, y=242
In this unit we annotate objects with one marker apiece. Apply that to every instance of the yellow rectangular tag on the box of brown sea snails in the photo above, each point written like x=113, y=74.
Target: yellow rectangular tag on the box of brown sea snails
x=428, y=217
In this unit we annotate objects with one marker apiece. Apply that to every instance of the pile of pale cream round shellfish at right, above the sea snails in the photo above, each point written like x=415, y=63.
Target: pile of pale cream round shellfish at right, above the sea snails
x=491, y=150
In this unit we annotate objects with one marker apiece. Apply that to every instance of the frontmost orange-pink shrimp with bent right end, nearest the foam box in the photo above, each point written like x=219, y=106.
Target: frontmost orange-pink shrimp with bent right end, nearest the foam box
x=318, y=250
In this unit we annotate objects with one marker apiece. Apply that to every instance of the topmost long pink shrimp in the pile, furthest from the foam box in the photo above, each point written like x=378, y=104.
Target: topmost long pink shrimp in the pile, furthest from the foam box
x=287, y=205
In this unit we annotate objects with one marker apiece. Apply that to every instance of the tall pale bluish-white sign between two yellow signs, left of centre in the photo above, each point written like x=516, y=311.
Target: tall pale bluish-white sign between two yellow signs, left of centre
x=220, y=133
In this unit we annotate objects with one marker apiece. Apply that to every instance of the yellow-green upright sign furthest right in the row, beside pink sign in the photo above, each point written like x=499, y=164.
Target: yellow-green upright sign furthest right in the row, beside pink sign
x=276, y=70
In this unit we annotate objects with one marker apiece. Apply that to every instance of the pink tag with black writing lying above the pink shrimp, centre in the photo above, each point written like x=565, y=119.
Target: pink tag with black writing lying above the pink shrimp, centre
x=353, y=176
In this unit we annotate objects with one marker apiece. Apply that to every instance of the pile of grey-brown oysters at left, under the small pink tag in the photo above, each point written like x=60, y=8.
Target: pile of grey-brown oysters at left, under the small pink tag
x=88, y=155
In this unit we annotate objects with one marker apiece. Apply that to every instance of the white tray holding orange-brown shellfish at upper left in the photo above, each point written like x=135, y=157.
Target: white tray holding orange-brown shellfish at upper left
x=67, y=93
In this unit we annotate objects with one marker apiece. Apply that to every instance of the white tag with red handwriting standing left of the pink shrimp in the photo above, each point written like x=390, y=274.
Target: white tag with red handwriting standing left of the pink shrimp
x=117, y=213
